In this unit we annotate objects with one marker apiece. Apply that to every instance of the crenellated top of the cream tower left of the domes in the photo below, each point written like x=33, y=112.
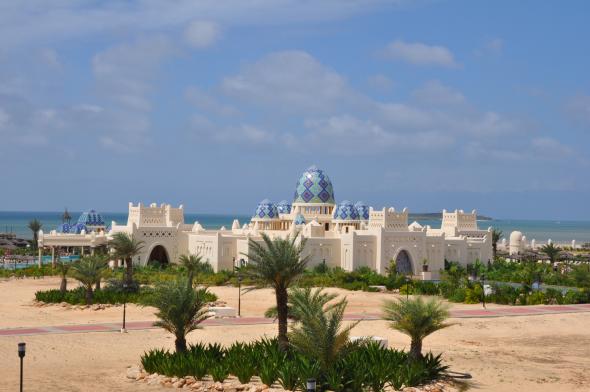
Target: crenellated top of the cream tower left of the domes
x=154, y=215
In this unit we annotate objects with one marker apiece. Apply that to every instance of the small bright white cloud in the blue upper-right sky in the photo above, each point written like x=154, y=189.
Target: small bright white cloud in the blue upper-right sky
x=418, y=53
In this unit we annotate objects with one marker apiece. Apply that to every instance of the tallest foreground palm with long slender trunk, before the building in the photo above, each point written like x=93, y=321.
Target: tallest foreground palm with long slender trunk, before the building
x=277, y=263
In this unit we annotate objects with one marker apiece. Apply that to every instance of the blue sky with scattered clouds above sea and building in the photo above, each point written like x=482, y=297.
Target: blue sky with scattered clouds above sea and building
x=216, y=105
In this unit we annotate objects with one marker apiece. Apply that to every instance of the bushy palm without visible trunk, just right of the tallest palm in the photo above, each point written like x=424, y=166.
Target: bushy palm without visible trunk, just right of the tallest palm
x=319, y=333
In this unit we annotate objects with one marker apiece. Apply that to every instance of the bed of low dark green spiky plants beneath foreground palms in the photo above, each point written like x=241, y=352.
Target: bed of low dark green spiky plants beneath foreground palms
x=362, y=366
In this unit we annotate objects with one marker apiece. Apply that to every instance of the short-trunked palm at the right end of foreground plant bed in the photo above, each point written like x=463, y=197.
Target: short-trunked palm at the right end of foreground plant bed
x=417, y=319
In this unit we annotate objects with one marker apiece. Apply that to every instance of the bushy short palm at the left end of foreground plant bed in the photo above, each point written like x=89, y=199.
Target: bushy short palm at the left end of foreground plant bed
x=180, y=309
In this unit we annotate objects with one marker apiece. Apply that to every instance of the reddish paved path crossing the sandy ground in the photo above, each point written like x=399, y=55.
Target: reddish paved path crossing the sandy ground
x=142, y=325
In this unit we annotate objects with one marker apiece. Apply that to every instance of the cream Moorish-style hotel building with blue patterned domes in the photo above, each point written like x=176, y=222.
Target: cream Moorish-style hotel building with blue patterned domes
x=344, y=234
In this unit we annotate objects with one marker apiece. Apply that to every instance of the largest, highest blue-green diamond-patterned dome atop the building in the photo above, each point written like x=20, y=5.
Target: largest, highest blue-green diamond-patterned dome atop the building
x=314, y=186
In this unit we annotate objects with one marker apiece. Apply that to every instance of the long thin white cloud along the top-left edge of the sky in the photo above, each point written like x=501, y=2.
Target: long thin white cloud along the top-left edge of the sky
x=44, y=22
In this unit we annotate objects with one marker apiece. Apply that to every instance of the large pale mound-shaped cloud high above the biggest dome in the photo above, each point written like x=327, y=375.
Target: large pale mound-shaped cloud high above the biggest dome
x=291, y=81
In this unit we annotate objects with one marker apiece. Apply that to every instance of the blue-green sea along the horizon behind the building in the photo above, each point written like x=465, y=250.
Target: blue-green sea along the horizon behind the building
x=540, y=230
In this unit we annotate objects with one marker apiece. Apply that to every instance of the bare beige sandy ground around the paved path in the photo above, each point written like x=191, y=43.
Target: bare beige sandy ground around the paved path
x=525, y=353
